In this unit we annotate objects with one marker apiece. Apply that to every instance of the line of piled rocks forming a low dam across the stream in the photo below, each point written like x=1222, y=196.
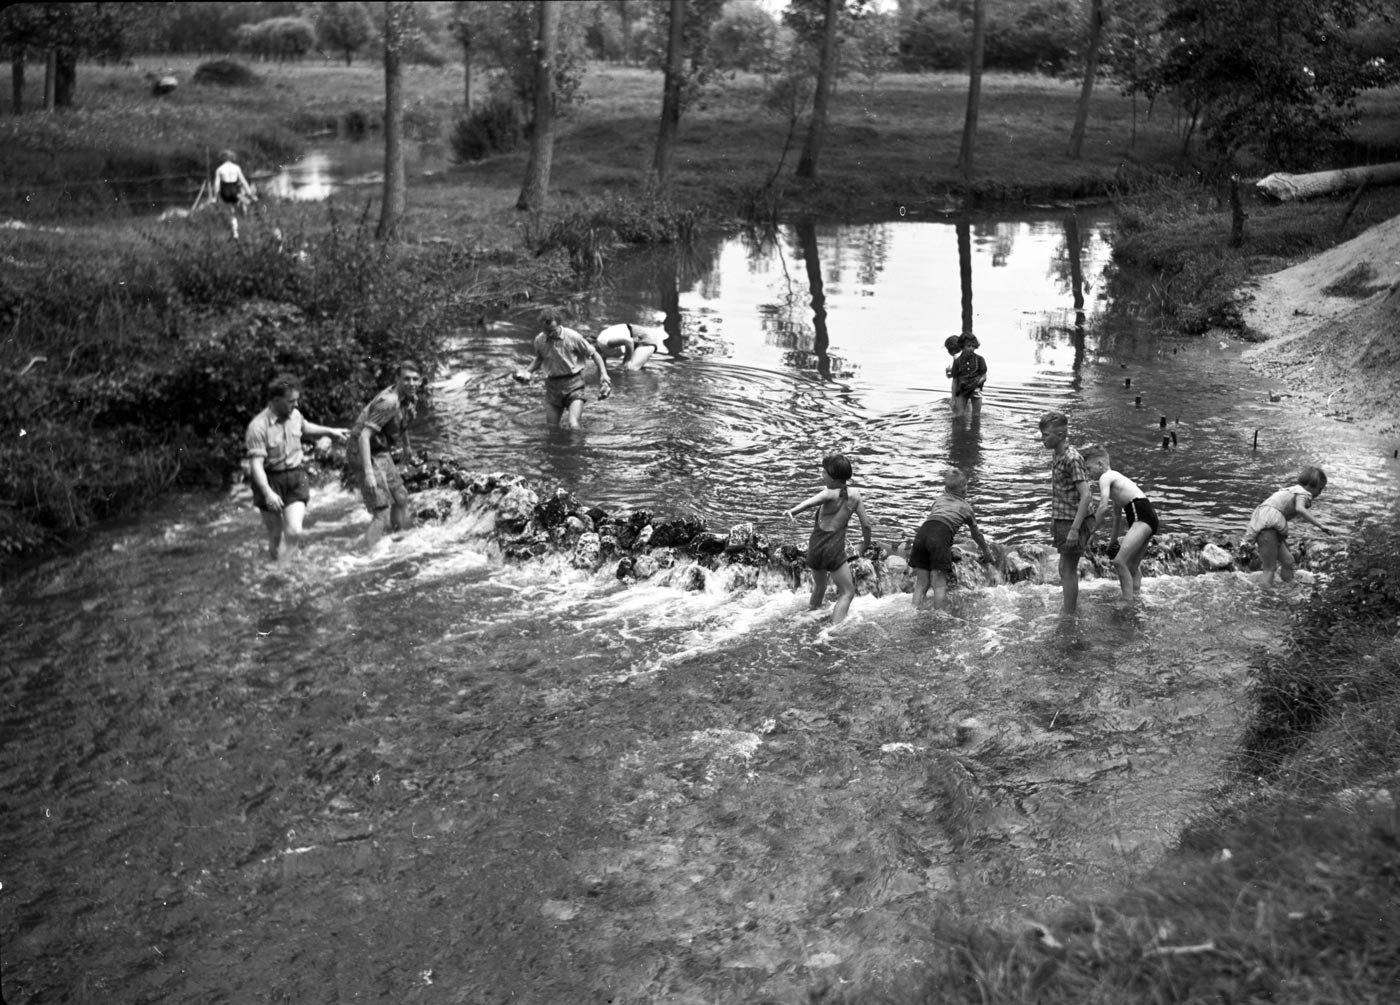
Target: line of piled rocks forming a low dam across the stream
x=526, y=523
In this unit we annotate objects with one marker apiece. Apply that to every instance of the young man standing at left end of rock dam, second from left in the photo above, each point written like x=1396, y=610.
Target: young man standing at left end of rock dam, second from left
x=381, y=430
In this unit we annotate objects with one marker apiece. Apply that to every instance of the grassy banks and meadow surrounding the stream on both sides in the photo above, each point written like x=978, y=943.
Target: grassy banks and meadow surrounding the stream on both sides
x=1286, y=894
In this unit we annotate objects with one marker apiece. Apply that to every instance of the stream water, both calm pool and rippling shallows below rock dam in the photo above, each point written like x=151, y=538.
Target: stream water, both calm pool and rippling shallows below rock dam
x=430, y=775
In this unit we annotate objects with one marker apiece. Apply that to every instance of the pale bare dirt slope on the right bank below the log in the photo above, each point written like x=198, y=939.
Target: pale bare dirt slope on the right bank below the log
x=1332, y=330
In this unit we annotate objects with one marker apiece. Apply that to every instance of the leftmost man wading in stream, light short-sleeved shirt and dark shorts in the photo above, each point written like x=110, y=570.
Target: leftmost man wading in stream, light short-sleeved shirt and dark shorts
x=275, y=454
